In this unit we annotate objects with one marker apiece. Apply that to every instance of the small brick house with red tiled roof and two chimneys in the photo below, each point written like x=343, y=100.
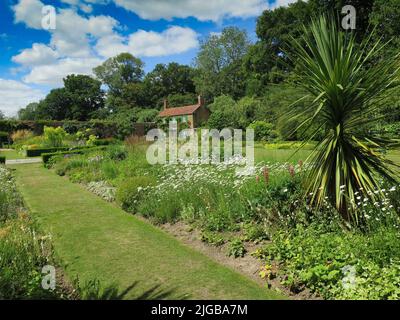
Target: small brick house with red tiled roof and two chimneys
x=194, y=115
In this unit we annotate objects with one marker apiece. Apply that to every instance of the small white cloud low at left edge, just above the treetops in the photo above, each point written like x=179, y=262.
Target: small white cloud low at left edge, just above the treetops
x=15, y=95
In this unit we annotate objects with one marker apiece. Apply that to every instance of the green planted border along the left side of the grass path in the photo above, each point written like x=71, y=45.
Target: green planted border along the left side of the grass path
x=23, y=251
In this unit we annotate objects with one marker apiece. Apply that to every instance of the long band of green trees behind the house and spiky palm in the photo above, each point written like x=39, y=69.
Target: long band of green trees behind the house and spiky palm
x=253, y=80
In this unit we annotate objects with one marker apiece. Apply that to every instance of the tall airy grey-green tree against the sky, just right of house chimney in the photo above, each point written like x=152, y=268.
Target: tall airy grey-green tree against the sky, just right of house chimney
x=219, y=64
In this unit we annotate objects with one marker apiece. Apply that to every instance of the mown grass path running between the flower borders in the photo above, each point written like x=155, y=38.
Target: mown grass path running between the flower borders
x=97, y=240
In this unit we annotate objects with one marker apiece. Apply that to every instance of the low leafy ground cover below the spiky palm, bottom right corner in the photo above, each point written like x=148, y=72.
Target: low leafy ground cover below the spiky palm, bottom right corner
x=317, y=258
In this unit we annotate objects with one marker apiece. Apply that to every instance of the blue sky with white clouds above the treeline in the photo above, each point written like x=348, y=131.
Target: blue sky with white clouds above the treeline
x=33, y=60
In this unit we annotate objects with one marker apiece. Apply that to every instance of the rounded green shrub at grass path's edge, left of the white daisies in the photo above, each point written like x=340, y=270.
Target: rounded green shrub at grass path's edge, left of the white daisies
x=131, y=191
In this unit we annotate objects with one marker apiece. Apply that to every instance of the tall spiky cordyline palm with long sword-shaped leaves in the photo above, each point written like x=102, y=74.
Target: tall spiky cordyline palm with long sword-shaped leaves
x=347, y=83
